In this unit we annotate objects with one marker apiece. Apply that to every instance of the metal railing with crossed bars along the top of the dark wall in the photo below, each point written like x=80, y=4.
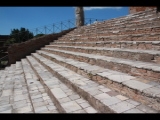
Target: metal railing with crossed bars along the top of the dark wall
x=54, y=28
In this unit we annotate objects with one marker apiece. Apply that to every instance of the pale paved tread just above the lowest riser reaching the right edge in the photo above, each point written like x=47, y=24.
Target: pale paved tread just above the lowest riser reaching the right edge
x=123, y=78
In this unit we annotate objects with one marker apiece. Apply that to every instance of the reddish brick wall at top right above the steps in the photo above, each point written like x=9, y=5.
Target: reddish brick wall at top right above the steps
x=138, y=9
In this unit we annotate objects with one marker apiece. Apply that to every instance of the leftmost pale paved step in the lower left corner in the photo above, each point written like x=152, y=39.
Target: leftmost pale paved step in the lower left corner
x=6, y=89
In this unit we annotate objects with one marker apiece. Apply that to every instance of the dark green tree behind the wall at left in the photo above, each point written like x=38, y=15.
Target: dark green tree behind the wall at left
x=21, y=35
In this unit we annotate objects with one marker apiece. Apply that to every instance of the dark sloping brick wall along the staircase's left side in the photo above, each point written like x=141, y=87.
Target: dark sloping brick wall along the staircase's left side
x=21, y=50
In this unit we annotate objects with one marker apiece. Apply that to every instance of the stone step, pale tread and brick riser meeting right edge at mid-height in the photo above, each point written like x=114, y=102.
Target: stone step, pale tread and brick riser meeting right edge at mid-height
x=137, y=68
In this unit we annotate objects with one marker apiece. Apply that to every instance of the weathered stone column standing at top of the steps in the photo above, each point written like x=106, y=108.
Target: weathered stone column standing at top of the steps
x=79, y=16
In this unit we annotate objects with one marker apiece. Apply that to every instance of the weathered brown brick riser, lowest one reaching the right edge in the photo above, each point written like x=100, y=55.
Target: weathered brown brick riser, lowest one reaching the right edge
x=132, y=92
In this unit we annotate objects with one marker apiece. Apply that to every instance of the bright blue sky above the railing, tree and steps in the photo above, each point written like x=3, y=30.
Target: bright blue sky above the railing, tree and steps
x=33, y=17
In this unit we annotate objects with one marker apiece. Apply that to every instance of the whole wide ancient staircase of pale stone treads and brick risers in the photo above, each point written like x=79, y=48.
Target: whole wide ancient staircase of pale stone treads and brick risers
x=101, y=68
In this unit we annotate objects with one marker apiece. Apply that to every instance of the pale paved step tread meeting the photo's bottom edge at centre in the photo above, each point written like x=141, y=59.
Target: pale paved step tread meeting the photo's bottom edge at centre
x=65, y=99
